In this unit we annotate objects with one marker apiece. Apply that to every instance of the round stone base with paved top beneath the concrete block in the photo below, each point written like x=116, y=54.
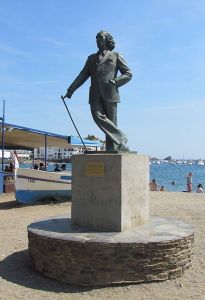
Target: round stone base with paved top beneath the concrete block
x=158, y=250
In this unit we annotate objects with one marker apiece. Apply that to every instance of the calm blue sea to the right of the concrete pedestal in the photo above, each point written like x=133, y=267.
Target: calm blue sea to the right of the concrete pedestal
x=165, y=173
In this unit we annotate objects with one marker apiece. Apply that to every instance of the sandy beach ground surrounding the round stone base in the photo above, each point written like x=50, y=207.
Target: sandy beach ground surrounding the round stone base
x=19, y=281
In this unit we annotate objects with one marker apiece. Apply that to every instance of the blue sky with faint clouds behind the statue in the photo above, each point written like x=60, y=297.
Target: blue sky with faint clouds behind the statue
x=44, y=45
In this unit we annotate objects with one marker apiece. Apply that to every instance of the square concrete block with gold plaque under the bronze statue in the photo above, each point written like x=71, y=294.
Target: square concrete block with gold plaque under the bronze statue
x=110, y=192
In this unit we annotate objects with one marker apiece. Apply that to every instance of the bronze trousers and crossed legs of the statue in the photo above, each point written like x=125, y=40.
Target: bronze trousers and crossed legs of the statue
x=105, y=116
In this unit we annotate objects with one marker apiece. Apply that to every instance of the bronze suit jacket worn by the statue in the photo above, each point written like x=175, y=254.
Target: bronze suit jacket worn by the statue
x=101, y=72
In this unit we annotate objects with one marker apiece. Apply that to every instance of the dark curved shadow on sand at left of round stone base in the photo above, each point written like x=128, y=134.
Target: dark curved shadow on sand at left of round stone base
x=17, y=268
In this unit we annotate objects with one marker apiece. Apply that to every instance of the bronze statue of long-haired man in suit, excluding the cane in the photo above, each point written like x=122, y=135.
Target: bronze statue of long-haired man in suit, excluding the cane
x=103, y=68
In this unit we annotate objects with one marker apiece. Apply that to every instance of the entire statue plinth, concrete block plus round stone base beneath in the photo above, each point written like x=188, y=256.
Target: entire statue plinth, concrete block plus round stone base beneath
x=110, y=193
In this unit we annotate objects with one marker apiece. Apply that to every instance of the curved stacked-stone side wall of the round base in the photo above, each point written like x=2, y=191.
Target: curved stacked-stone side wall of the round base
x=93, y=263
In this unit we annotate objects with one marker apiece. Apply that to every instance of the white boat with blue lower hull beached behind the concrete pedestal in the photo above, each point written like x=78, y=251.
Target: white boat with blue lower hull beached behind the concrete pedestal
x=35, y=185
